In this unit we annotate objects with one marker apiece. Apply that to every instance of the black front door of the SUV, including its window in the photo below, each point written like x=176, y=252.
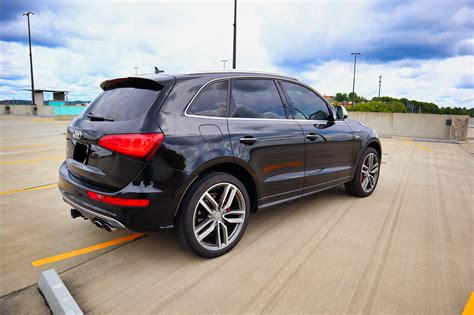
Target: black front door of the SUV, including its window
x=329, y=142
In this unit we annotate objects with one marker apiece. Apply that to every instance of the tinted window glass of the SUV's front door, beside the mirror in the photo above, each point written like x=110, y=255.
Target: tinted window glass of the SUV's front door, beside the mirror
x=306, y=104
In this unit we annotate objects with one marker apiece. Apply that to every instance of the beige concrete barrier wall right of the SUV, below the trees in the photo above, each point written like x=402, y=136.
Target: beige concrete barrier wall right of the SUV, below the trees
x=431, y=126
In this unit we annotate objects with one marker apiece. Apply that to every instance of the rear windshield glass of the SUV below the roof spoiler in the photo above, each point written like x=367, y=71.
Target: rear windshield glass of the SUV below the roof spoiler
x=125, y=103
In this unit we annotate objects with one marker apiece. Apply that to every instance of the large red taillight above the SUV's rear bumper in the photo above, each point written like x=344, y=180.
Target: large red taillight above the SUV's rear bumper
x=140, y=145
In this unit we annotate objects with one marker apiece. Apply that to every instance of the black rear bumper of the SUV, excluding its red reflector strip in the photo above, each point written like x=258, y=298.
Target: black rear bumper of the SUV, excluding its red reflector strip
x=164, y=195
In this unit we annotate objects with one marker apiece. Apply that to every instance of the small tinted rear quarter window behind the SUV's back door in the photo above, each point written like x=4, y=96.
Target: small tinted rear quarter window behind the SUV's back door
x=211, y=101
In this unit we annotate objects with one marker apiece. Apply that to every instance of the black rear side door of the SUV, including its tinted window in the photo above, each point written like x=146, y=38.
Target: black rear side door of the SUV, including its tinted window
x=266, y=140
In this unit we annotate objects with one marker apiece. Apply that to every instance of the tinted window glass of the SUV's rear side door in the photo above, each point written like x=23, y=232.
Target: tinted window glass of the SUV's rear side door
x=256, y=99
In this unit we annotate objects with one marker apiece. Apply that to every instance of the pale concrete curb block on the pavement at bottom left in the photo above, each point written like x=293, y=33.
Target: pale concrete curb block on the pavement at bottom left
x=57, y=296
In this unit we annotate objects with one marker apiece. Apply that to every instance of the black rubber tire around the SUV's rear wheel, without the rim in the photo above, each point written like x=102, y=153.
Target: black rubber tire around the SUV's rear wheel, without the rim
x=187, y=212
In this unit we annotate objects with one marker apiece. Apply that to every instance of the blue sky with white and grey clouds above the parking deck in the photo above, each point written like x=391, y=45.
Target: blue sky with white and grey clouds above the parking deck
x=423, y=49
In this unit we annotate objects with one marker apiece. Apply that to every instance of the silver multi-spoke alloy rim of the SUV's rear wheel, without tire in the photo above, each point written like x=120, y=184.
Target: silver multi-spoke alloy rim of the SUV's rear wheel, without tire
x=219, y=216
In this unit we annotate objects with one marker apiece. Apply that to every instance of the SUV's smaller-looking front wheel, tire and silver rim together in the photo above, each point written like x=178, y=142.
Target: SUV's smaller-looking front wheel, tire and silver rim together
x=358, y=185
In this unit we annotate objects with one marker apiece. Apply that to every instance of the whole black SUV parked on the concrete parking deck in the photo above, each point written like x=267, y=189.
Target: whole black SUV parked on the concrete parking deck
x=201, y=151
